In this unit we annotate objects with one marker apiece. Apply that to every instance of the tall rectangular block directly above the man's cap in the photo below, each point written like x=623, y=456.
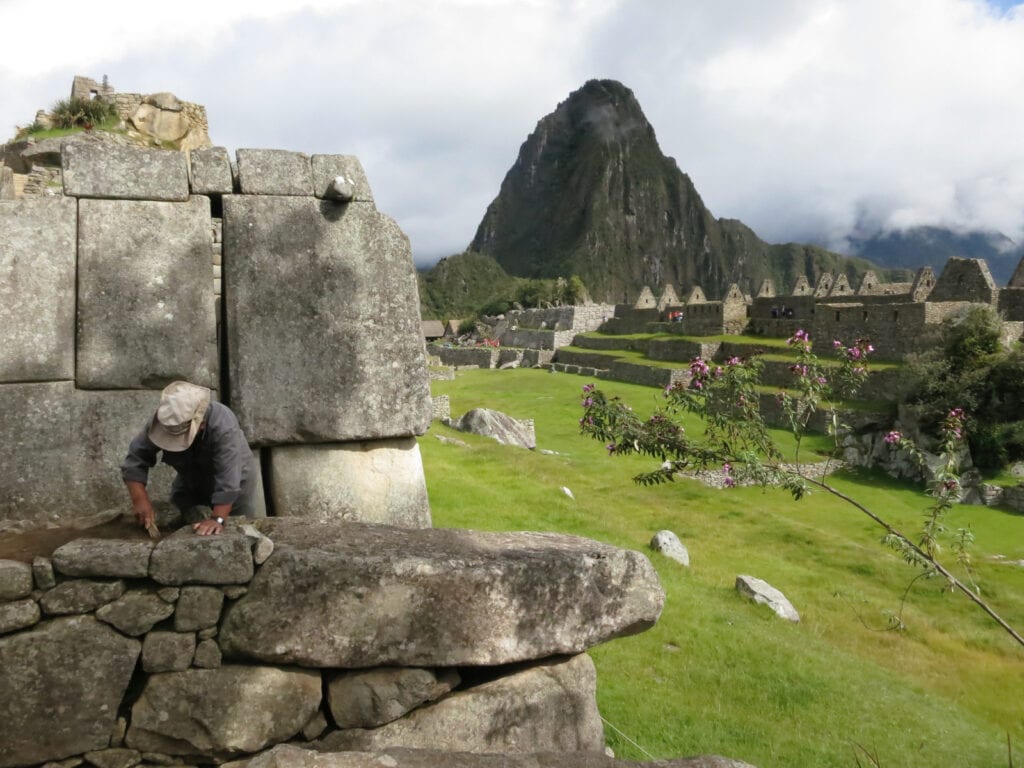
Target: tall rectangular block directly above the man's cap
x=146, y=303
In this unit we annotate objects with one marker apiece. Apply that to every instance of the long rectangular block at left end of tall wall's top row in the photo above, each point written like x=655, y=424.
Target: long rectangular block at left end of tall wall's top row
x=102, y=170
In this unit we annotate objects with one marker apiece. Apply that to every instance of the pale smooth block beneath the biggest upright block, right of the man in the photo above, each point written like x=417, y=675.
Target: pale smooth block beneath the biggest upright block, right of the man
x=380, y=482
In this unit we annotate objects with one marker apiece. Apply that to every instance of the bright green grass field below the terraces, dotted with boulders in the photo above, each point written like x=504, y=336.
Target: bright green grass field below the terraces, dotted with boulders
x=718, y=674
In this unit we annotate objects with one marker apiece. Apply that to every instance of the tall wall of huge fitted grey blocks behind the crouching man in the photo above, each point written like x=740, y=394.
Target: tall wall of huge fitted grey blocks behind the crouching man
x=108, y=296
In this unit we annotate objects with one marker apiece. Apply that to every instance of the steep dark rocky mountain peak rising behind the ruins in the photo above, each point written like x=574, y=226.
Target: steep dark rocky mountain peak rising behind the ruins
x=591, y=194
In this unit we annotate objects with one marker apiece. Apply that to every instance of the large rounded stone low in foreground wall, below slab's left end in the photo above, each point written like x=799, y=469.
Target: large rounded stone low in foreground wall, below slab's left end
x=223, y=712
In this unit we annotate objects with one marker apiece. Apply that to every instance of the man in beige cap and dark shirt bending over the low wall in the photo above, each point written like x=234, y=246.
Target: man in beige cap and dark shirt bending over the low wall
x=203, y=442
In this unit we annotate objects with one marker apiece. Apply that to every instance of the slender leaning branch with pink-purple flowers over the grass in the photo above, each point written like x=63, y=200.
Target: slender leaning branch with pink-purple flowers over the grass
x=737, y=440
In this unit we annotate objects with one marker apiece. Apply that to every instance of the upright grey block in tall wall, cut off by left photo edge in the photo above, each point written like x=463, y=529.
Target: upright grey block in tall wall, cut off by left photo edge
x=37, y=289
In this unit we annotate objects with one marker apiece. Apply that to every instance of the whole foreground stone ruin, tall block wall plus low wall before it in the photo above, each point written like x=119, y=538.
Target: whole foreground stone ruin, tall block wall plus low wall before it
x=340, y=625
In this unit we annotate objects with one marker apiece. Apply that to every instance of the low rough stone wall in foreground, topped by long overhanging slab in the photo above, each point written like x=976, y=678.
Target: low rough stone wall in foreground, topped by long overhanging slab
x=331, y=636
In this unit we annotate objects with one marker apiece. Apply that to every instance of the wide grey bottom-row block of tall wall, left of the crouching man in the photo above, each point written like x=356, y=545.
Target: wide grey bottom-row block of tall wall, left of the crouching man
x=66, y=467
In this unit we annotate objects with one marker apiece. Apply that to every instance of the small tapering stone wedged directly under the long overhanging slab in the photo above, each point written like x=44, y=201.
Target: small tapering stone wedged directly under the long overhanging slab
x=372, y=698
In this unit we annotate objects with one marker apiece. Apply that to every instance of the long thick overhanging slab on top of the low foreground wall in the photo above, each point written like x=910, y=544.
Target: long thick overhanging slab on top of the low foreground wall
x=354, y=595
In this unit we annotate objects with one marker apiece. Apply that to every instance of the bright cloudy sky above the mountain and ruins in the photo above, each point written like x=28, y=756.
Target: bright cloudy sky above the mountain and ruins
x=810, y=120
